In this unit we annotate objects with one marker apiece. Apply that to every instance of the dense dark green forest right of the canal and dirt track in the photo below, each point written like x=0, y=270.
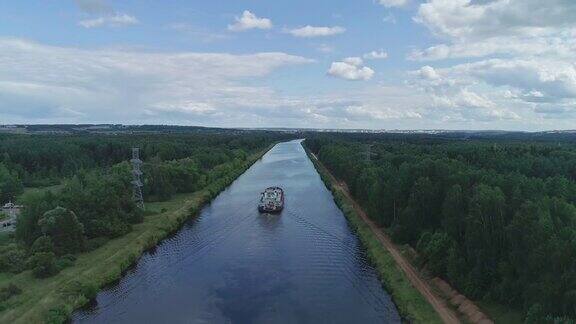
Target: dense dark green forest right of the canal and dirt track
x=497, y=219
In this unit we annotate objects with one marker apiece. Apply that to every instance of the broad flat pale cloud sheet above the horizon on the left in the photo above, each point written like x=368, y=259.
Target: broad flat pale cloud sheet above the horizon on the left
x=65, y=84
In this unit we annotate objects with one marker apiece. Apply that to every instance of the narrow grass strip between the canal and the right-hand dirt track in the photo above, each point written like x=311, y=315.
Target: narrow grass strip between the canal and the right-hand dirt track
x=411, y=304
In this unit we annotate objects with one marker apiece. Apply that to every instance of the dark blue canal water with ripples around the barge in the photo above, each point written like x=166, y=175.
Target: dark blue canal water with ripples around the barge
x=234, y=265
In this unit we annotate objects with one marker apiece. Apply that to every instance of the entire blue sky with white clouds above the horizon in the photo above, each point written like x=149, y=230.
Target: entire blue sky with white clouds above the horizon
x=378, y=64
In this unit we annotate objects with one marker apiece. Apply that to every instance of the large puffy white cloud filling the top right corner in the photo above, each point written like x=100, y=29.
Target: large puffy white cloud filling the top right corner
x=515, y=27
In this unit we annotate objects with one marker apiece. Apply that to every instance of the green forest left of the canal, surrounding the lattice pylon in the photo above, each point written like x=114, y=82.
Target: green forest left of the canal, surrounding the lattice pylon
x=94, y=200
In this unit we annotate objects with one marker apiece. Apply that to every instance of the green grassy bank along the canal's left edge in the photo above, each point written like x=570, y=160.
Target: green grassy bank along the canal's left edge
x=53, y=299
